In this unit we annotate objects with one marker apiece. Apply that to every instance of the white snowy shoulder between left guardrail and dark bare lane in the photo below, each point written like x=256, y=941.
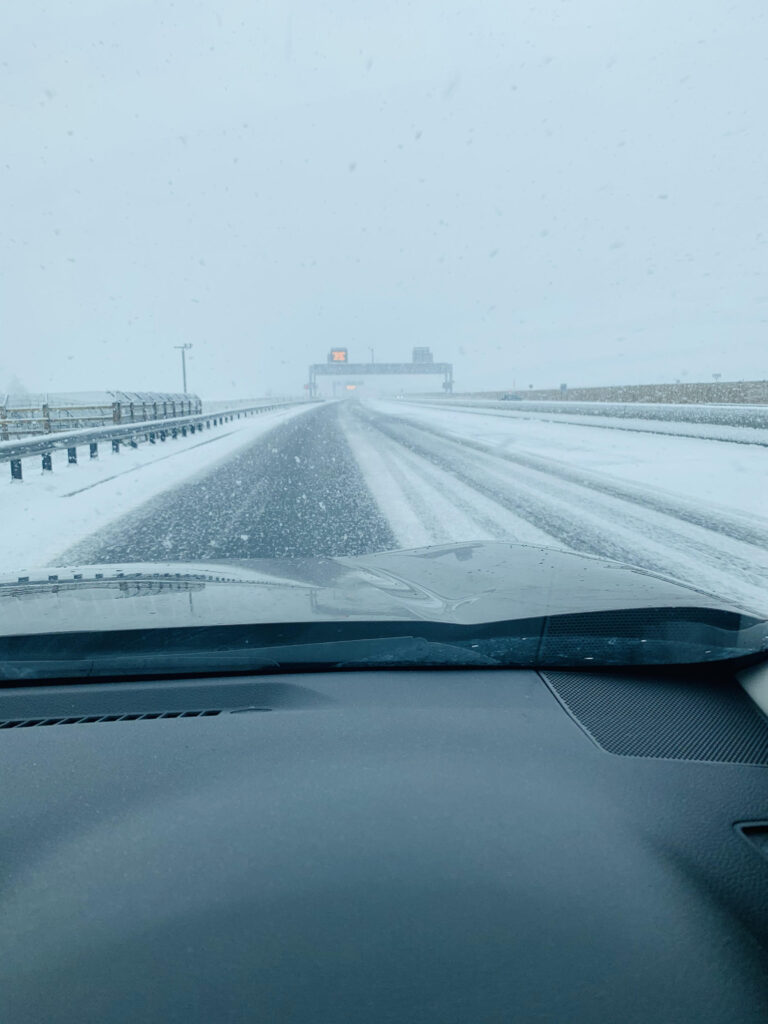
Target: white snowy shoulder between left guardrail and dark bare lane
x=50, y=513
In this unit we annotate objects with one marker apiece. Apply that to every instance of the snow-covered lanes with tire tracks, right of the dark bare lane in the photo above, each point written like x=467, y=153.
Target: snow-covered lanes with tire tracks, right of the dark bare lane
x=685, y=507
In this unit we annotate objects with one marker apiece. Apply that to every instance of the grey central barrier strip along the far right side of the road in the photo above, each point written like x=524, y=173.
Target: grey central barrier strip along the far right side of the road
x=732, y=416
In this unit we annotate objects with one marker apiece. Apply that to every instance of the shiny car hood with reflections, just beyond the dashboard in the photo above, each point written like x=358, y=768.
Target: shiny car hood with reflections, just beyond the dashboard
x=462, y=584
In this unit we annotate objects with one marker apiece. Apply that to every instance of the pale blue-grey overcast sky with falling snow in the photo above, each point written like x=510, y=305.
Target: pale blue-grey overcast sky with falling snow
x=546, y=192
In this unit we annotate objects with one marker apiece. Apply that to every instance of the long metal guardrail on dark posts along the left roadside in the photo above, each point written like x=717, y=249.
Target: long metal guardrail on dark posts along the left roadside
x=132, y=435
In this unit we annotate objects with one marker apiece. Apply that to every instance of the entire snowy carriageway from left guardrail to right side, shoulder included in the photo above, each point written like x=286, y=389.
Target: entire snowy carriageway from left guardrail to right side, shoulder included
x=350, y=478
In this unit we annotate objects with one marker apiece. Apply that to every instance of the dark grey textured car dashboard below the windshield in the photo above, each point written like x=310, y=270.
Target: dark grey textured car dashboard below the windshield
x=453, y=845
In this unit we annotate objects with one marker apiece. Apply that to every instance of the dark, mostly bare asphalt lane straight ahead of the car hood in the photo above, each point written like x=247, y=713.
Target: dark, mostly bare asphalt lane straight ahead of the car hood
x=296, y=492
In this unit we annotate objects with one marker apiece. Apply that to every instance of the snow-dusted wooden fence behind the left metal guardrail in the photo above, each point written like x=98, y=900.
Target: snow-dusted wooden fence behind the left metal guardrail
x=28, y=415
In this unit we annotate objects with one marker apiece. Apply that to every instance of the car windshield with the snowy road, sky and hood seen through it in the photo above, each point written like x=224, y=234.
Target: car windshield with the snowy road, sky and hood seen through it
x=288, y=284
